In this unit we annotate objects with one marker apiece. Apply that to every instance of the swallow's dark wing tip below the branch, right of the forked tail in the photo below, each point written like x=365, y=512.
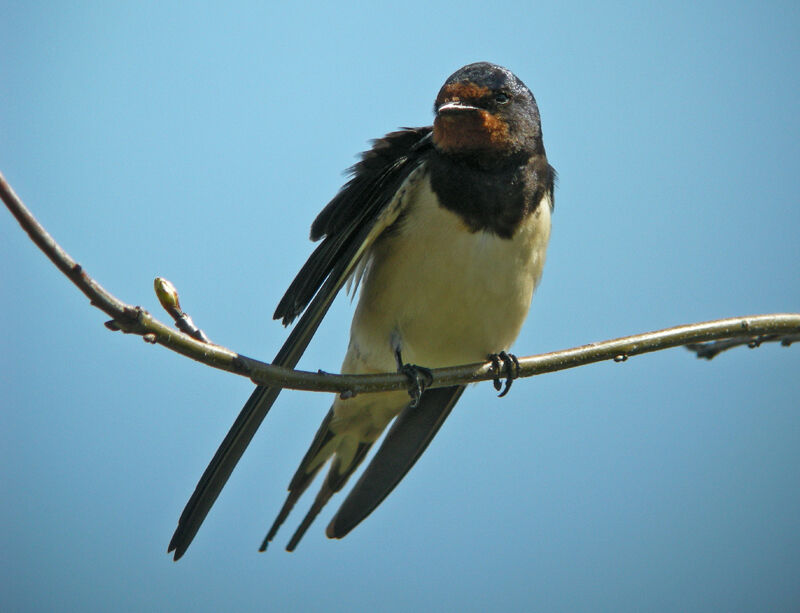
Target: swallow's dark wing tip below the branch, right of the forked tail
x=408, y=437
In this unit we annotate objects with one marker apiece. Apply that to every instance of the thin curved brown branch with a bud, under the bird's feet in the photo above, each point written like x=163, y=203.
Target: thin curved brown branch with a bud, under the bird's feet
x=751, y=330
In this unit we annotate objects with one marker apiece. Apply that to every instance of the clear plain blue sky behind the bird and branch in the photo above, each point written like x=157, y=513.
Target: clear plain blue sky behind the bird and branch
x=198, y=143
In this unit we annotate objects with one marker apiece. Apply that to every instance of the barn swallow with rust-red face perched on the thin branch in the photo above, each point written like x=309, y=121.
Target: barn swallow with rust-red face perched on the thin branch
x=445, y=230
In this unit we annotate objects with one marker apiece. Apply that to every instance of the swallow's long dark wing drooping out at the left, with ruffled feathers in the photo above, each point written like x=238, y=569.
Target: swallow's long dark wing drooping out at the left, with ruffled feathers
x=362, y=210
